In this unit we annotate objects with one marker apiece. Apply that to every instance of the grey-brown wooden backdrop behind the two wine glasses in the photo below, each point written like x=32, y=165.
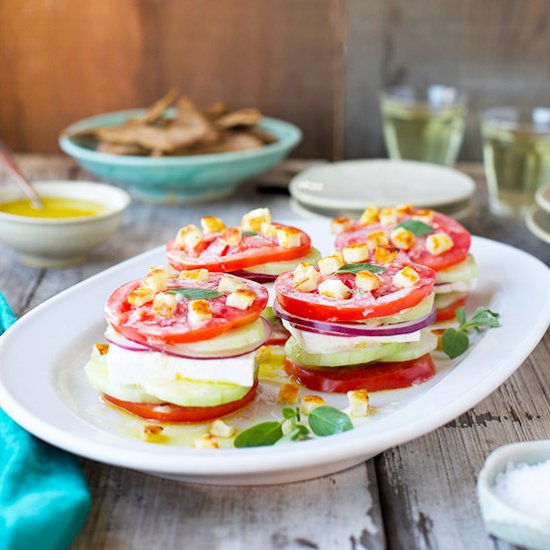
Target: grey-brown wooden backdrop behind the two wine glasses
x=496, y=50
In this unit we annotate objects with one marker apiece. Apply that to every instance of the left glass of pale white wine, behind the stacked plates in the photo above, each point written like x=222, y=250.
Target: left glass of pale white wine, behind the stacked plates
x=425, y=124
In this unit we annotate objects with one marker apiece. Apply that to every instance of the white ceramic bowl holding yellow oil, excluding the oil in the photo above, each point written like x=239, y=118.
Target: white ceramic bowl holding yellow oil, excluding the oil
x=60, y=242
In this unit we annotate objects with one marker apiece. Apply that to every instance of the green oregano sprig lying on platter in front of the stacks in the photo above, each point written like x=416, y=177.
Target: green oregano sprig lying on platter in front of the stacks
x=322, y=421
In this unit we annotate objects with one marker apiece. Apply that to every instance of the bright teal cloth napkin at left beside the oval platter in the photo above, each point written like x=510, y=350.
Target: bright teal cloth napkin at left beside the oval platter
x=44, y=499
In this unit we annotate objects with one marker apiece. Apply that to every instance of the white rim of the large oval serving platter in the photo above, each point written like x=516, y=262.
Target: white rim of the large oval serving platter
x=192, y=462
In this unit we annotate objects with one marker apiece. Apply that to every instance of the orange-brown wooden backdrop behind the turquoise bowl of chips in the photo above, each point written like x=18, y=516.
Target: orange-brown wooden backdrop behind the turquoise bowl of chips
x=64, y=60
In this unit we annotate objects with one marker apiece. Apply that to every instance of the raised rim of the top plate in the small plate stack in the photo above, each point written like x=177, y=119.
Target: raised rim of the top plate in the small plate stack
x=322, y=202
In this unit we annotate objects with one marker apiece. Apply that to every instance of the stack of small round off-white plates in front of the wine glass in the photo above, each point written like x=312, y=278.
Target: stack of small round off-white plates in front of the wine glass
x=347, y=188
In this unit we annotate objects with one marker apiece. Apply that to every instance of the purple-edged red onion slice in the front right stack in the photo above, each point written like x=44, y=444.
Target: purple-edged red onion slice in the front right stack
x=354, y=329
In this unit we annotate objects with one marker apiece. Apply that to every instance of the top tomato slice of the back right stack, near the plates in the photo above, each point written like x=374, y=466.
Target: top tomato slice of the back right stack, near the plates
x=418, y=254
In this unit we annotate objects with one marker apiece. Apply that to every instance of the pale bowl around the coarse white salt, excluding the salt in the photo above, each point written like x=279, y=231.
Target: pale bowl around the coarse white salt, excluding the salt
x=500, y=518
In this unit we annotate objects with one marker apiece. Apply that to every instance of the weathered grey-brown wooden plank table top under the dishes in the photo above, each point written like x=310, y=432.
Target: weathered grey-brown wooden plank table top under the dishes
x=420, y=495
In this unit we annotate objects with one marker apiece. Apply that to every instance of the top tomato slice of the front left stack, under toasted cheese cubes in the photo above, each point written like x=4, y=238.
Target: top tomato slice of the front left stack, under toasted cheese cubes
x=142, y=325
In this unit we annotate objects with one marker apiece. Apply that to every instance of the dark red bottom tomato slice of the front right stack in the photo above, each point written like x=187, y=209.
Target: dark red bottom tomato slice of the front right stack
x=371, y=377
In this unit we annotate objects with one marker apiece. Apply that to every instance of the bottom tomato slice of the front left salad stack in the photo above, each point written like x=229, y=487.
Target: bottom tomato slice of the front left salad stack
x=175, y=413
